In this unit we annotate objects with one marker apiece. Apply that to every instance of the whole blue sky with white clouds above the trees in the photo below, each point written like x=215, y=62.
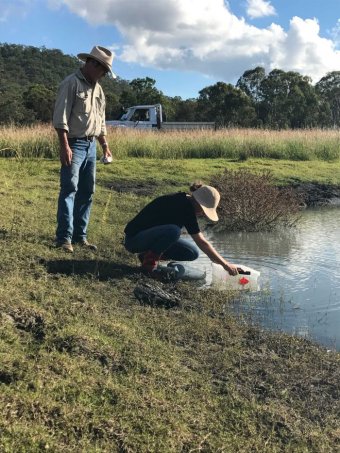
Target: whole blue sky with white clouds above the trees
x=185, y=45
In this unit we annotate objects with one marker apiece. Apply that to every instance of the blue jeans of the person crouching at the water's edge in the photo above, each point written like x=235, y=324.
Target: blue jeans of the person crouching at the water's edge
x=162, y=240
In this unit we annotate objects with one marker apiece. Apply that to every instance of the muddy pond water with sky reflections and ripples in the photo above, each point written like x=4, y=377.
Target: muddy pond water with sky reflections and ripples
x=300, y=275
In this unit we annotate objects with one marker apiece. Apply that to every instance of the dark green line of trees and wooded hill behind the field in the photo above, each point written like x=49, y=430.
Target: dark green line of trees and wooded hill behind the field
x=29, y=78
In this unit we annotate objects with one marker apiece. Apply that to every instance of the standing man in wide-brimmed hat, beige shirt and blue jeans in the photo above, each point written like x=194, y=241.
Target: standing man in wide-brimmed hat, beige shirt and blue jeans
x=79, y=119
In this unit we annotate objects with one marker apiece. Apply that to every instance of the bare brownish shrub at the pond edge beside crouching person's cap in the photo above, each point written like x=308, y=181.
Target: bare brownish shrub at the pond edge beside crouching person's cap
x=251, y=202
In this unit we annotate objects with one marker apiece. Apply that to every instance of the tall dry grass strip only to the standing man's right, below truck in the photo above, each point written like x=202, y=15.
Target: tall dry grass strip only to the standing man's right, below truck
x=228, y=143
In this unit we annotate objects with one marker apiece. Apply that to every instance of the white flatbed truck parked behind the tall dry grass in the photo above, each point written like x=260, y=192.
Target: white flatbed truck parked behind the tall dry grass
x=151, y=117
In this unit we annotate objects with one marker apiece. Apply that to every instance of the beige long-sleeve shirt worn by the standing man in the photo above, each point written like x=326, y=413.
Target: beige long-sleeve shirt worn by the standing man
x=80, y=107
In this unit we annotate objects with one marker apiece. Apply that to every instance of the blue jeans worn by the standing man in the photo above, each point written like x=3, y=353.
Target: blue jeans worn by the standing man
x=77, y=185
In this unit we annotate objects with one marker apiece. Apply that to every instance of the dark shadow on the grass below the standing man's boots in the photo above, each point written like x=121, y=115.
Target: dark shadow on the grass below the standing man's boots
x=102, y=270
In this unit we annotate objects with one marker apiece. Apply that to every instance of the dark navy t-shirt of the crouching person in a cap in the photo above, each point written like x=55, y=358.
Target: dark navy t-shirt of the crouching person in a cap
x=173, y=209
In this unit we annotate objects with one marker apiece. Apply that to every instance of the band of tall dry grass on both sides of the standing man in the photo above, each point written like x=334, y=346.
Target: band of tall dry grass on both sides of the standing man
x=240, y=144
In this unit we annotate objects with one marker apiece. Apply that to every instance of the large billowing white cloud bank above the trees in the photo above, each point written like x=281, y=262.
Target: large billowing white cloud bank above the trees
x=205, y=36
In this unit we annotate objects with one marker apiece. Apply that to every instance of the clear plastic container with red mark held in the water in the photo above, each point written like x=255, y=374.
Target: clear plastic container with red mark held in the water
x=248, y=279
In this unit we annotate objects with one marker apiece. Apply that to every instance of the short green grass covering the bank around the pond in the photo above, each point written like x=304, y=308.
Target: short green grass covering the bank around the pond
x=86, y=368
